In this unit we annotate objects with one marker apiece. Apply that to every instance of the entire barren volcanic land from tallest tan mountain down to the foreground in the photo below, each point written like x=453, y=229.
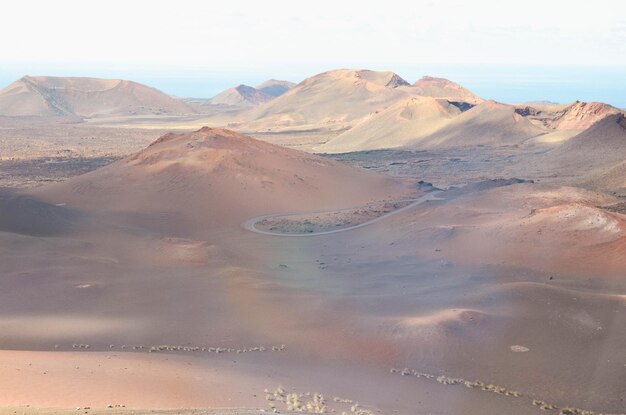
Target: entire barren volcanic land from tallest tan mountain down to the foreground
x=146, y=263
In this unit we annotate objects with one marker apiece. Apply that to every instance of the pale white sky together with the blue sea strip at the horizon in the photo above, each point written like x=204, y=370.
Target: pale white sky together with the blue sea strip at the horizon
x=508, y=50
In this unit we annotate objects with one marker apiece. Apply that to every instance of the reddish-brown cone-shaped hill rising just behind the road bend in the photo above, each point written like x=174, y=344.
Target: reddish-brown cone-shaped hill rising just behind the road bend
x=216, y=177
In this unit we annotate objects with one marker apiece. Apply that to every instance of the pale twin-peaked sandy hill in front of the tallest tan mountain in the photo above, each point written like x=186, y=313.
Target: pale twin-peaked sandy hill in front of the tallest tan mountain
x=430, y=123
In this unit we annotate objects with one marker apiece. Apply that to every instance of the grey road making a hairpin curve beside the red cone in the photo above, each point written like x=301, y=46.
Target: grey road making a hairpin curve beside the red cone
x=250, y=223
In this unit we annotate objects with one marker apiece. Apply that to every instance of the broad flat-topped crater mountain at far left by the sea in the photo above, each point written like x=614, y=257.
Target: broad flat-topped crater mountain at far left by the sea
x=45, y=96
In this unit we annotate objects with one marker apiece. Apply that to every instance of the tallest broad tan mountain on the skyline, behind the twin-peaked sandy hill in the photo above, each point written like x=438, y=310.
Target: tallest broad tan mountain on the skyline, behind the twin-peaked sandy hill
x=340, y=99
